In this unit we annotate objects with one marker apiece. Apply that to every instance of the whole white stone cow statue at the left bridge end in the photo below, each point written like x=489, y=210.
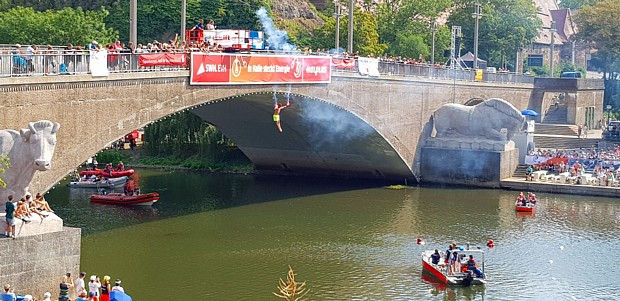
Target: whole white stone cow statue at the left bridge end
x=28, y=150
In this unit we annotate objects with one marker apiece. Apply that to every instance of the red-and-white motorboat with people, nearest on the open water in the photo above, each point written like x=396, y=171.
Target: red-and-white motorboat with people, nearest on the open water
x=456, y=266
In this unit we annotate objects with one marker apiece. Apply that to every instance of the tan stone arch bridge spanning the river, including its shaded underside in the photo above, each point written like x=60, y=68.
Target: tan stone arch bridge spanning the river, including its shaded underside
x=354, y=126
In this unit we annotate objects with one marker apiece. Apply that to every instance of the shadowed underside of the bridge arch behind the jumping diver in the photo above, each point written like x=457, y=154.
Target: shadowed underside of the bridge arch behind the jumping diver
x=318, y=137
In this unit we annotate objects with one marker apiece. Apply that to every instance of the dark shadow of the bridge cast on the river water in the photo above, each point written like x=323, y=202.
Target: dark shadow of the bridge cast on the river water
x=189, y=192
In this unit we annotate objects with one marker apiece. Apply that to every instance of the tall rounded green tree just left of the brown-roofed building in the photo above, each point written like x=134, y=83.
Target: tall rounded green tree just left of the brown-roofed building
x=506, y=26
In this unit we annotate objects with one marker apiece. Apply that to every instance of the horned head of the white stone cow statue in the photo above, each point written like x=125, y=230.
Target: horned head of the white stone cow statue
x=41, y=136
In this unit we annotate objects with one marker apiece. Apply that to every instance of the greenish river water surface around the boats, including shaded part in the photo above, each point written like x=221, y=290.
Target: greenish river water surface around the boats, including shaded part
x=232, y=237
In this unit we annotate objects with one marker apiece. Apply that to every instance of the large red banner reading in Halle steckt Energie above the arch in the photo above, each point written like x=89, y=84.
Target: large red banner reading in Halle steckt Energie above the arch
x=214, y=69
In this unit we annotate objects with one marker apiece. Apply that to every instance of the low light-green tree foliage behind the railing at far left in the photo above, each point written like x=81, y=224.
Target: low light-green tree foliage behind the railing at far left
x=26, y=26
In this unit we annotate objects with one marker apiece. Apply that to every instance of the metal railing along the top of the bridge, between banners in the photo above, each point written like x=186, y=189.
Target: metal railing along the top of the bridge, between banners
x=69, y=62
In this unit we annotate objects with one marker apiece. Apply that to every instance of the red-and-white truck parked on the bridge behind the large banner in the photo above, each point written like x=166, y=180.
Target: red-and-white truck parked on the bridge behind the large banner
x=230, y=39
